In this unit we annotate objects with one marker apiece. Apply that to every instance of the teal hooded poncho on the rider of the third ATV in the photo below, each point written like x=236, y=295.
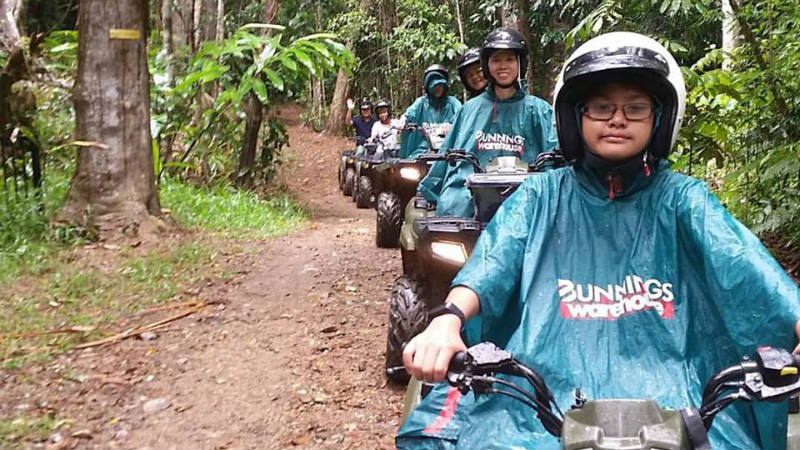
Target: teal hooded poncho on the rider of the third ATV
x=427, y=110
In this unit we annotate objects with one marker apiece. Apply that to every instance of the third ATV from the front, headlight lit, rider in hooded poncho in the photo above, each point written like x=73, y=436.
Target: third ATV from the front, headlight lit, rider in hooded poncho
x=395, y=181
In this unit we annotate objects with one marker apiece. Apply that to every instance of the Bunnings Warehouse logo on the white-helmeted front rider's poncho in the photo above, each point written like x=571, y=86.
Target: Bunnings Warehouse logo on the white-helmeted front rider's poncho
x=612, y=301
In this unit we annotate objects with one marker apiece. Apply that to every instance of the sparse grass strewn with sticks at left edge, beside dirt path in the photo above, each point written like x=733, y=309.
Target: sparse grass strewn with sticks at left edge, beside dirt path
x=94, y=296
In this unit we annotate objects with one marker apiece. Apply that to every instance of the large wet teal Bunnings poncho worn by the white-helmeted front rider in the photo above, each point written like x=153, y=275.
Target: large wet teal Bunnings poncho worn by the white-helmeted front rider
x=643, y=296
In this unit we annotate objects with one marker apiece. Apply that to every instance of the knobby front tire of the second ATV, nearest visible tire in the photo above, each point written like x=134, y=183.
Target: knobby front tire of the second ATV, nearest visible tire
x=408, y=317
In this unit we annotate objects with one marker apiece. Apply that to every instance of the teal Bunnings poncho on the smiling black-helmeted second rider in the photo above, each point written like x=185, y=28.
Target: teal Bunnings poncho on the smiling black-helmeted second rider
x=519, y=126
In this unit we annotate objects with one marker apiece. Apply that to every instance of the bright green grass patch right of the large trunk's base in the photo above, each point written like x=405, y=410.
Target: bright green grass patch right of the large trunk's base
x=233, y=212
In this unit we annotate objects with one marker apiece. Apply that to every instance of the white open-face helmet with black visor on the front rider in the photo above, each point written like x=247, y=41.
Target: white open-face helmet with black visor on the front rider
x=620, y=57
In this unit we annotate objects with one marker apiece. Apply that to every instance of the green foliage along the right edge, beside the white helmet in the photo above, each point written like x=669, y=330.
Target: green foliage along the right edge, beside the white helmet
x=744, y=122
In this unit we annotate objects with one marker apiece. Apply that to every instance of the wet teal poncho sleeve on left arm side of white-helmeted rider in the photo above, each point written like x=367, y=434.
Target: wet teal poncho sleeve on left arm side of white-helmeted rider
x=494, y=269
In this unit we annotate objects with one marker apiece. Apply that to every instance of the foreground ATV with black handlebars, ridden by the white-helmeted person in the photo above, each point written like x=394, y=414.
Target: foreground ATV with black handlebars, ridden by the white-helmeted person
x=770, y=375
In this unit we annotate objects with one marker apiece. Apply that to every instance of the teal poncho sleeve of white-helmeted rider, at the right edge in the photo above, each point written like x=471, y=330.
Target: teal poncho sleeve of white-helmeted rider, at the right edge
x=758, y=302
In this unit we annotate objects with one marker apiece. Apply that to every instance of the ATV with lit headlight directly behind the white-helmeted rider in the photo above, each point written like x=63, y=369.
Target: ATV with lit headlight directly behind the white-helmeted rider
x=434, y=248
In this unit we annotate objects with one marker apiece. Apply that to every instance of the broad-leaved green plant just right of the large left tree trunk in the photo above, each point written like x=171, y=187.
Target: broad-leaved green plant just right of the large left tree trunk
x=250, y=62
